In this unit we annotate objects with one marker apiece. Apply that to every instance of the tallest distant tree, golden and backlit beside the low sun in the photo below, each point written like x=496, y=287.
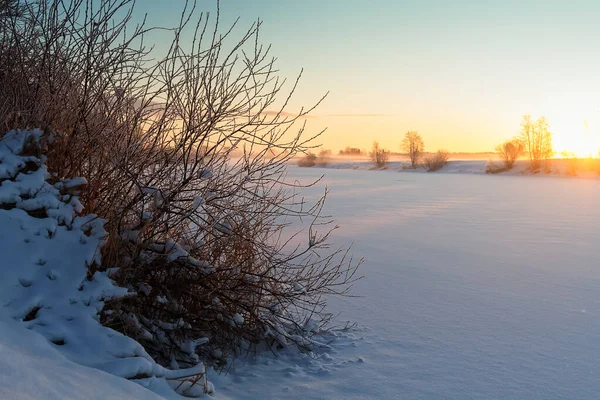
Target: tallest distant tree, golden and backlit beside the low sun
x=537, y=140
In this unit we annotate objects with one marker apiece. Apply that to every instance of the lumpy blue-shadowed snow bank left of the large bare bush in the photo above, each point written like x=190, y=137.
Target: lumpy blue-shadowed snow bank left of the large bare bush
x=46, y=251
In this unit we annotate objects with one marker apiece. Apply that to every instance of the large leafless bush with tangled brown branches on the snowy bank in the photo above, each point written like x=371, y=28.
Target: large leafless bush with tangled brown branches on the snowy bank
x=200, y=237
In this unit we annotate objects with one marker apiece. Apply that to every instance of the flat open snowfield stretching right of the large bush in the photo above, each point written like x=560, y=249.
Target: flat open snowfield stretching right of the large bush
x=476, y=287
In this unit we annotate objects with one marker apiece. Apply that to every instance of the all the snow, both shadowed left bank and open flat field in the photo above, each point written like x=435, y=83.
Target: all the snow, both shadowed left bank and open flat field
x=476, y=286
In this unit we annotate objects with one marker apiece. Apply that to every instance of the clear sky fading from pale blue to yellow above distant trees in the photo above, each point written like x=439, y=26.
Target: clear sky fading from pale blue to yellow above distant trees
x=461, y=73
